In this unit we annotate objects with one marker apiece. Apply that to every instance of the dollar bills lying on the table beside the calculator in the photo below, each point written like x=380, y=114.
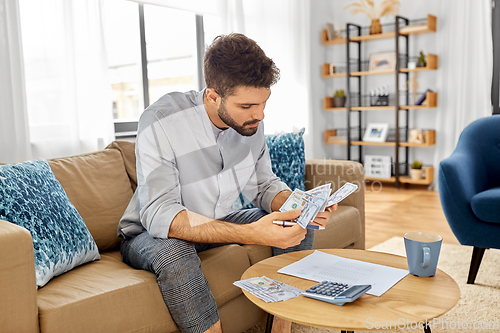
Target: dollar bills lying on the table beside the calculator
x=267, y=289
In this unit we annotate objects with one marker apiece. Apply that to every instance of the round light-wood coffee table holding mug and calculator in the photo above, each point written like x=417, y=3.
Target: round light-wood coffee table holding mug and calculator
x=410, y=303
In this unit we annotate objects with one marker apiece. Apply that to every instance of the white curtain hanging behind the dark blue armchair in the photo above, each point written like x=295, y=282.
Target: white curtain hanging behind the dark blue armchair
x=466, y=64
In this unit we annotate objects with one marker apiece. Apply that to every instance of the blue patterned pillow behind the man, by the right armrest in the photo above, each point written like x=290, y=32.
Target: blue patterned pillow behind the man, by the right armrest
x=288, y=158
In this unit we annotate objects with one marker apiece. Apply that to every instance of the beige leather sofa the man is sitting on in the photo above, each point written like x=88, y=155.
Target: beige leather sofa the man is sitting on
x=109, y=296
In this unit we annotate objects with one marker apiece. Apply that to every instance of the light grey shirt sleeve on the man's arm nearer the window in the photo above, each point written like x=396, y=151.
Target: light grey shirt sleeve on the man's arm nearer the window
x=158, y=185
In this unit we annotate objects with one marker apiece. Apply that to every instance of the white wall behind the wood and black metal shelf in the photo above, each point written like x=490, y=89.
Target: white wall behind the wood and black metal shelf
x=323, y=11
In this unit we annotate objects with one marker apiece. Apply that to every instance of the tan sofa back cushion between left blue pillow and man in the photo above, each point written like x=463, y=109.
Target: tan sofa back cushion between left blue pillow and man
x=99, y=187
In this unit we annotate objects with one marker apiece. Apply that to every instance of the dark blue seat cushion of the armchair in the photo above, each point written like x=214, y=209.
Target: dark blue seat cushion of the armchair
x=486, y=205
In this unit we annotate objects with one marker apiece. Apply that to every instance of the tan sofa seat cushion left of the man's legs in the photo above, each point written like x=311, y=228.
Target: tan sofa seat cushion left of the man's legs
x=104, y=296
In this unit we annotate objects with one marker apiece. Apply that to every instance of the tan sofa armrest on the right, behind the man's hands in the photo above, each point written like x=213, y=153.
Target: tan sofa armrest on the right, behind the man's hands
x=338, y=172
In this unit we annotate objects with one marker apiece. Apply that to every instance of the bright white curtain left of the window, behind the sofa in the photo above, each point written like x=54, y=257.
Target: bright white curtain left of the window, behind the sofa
x=68, y=92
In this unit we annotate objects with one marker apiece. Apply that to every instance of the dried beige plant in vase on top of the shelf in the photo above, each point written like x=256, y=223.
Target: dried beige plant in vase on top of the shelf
x=387, y=7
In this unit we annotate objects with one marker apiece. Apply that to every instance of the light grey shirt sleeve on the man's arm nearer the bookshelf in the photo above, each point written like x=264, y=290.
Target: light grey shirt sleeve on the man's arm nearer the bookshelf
x=264, y=185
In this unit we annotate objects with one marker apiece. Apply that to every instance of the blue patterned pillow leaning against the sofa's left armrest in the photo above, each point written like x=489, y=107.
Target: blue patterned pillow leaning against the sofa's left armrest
x=31, y=197
